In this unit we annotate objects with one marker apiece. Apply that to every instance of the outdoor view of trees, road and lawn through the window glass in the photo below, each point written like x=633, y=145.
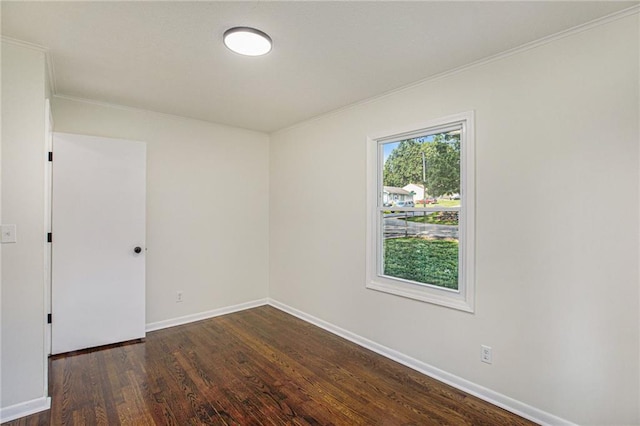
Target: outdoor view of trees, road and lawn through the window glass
x=421, y=206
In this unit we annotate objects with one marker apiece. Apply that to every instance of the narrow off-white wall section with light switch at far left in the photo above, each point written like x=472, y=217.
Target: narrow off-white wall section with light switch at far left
x=22, y=359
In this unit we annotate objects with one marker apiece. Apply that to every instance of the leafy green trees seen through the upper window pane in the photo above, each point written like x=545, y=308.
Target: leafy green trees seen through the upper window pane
x=442, y=161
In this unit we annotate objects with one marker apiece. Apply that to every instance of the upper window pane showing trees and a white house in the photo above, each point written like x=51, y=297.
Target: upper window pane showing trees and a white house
x=422, y=171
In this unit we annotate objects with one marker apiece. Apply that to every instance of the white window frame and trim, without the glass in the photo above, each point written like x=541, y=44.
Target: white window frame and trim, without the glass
x=464, y=297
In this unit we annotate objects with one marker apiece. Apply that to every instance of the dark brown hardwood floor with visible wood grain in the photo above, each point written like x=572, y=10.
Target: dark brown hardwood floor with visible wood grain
x=255, y=367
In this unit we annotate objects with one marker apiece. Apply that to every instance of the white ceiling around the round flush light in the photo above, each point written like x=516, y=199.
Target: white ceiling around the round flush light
x=169, y=57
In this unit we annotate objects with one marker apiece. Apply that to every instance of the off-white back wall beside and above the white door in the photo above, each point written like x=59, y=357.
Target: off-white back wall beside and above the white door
x=207, y=205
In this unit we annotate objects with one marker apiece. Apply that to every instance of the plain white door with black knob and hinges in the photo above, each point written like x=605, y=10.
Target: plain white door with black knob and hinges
x=98, y=242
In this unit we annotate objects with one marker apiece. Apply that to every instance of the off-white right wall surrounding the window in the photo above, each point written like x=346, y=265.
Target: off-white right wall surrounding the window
x=556, y=219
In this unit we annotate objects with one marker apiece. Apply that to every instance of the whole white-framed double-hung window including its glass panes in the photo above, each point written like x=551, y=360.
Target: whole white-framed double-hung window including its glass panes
x=420, y=239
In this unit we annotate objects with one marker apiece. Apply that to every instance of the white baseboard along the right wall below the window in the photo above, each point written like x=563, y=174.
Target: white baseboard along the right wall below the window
x=495, y=398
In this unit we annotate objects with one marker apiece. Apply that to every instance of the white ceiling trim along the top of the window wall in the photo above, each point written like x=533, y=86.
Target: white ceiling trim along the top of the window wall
x=633, y=10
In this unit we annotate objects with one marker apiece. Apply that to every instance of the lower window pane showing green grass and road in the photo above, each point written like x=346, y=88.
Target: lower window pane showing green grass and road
x=421, y=247
